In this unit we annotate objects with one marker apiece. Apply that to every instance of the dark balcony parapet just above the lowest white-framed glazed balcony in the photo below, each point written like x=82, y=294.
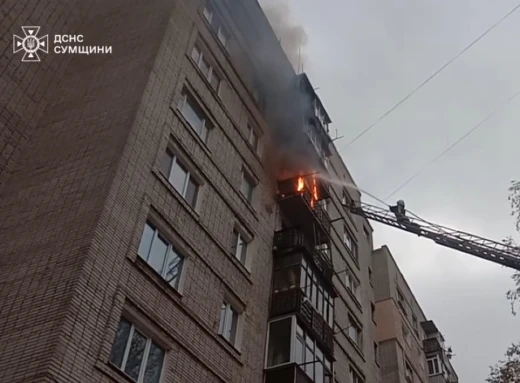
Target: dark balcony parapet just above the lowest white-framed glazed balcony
x=294, y=301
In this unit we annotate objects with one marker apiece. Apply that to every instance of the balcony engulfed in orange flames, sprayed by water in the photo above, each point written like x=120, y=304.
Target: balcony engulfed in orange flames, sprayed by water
x=301, y=198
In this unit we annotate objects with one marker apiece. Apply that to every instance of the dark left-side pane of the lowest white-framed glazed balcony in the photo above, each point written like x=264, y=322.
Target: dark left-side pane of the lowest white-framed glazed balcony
x=279, y=351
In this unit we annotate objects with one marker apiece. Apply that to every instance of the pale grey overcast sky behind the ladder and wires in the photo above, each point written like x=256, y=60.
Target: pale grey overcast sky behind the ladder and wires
x=367, y=55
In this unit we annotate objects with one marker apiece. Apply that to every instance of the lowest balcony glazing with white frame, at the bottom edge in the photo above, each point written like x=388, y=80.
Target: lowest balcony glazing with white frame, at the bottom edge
x=289, y=343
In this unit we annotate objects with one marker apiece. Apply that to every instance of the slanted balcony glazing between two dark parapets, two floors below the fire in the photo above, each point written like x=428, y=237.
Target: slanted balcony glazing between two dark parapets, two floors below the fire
x=316, y=293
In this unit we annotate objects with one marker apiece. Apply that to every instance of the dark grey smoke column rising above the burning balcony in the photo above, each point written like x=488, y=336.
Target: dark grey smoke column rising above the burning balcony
x=287, y=106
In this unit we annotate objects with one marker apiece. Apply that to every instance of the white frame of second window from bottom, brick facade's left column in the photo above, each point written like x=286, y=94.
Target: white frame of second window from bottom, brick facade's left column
x=158, y=234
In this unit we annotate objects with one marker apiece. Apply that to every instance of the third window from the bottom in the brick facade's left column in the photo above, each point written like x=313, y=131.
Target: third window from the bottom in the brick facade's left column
x=179, y=176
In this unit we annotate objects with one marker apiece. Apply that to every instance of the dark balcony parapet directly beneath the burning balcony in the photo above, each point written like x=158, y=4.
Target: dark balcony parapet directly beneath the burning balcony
x=293, y=240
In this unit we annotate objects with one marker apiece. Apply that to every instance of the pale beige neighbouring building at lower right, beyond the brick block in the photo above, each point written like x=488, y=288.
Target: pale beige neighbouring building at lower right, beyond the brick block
x=403, y=332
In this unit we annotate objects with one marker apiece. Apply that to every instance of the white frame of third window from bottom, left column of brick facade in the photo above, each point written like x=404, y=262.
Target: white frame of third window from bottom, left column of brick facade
x=174, y=159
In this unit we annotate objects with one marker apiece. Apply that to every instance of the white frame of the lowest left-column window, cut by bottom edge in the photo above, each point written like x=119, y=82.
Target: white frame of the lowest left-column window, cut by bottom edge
x=145, y=354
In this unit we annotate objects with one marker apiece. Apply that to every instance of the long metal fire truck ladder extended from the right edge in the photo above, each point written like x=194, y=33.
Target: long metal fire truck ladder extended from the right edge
x=497, y=252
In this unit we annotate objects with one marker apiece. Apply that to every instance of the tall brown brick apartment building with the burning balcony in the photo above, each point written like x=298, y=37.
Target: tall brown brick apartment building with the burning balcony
x=145, y=236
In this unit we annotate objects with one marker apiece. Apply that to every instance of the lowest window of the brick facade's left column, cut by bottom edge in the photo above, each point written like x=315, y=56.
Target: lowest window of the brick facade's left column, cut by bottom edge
x=138, y=356
